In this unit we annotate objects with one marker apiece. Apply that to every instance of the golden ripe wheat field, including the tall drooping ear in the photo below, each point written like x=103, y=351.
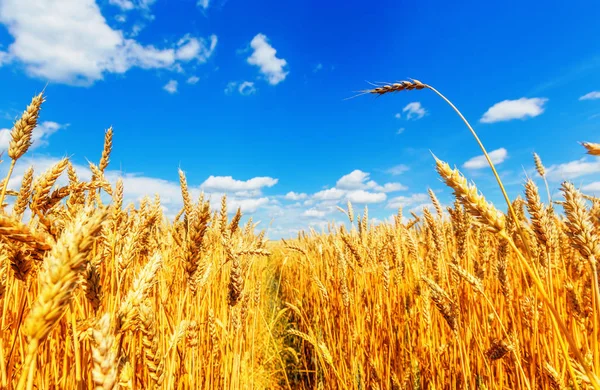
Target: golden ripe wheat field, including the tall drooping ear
x=98, y=294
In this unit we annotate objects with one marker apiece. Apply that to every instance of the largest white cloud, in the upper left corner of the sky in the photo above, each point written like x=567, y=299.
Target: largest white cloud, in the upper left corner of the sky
x=69, y=41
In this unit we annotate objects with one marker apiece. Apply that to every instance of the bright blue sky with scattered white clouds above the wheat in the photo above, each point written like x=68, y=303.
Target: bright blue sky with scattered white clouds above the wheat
x=249, y=98
